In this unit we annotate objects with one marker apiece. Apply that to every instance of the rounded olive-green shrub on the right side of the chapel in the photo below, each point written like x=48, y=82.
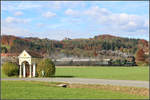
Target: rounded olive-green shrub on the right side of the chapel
x=45, y=68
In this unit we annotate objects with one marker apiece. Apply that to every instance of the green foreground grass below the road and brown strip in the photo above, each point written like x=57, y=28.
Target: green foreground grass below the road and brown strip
x=45, y=90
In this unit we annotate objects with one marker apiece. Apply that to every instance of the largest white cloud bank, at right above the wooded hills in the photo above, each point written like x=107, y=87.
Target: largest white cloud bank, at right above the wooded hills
x=116, y=21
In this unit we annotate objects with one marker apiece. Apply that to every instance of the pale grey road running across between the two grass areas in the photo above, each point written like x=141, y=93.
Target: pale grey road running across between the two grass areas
x=130, y=83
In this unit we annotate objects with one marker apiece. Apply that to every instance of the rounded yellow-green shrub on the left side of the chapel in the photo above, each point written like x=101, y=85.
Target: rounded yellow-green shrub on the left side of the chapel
x=10, y=69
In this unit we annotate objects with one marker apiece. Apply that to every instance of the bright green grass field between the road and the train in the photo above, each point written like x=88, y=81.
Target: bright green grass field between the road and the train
x=116, y=73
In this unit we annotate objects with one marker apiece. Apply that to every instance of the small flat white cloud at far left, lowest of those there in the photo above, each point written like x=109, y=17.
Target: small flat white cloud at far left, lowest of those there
x=17, y=20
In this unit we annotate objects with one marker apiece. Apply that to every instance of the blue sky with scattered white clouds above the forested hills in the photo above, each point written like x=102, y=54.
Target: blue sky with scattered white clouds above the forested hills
x=75, y=19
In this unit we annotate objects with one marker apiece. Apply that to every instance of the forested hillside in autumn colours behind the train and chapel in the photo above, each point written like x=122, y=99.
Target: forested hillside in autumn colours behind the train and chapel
x=96, y=47
